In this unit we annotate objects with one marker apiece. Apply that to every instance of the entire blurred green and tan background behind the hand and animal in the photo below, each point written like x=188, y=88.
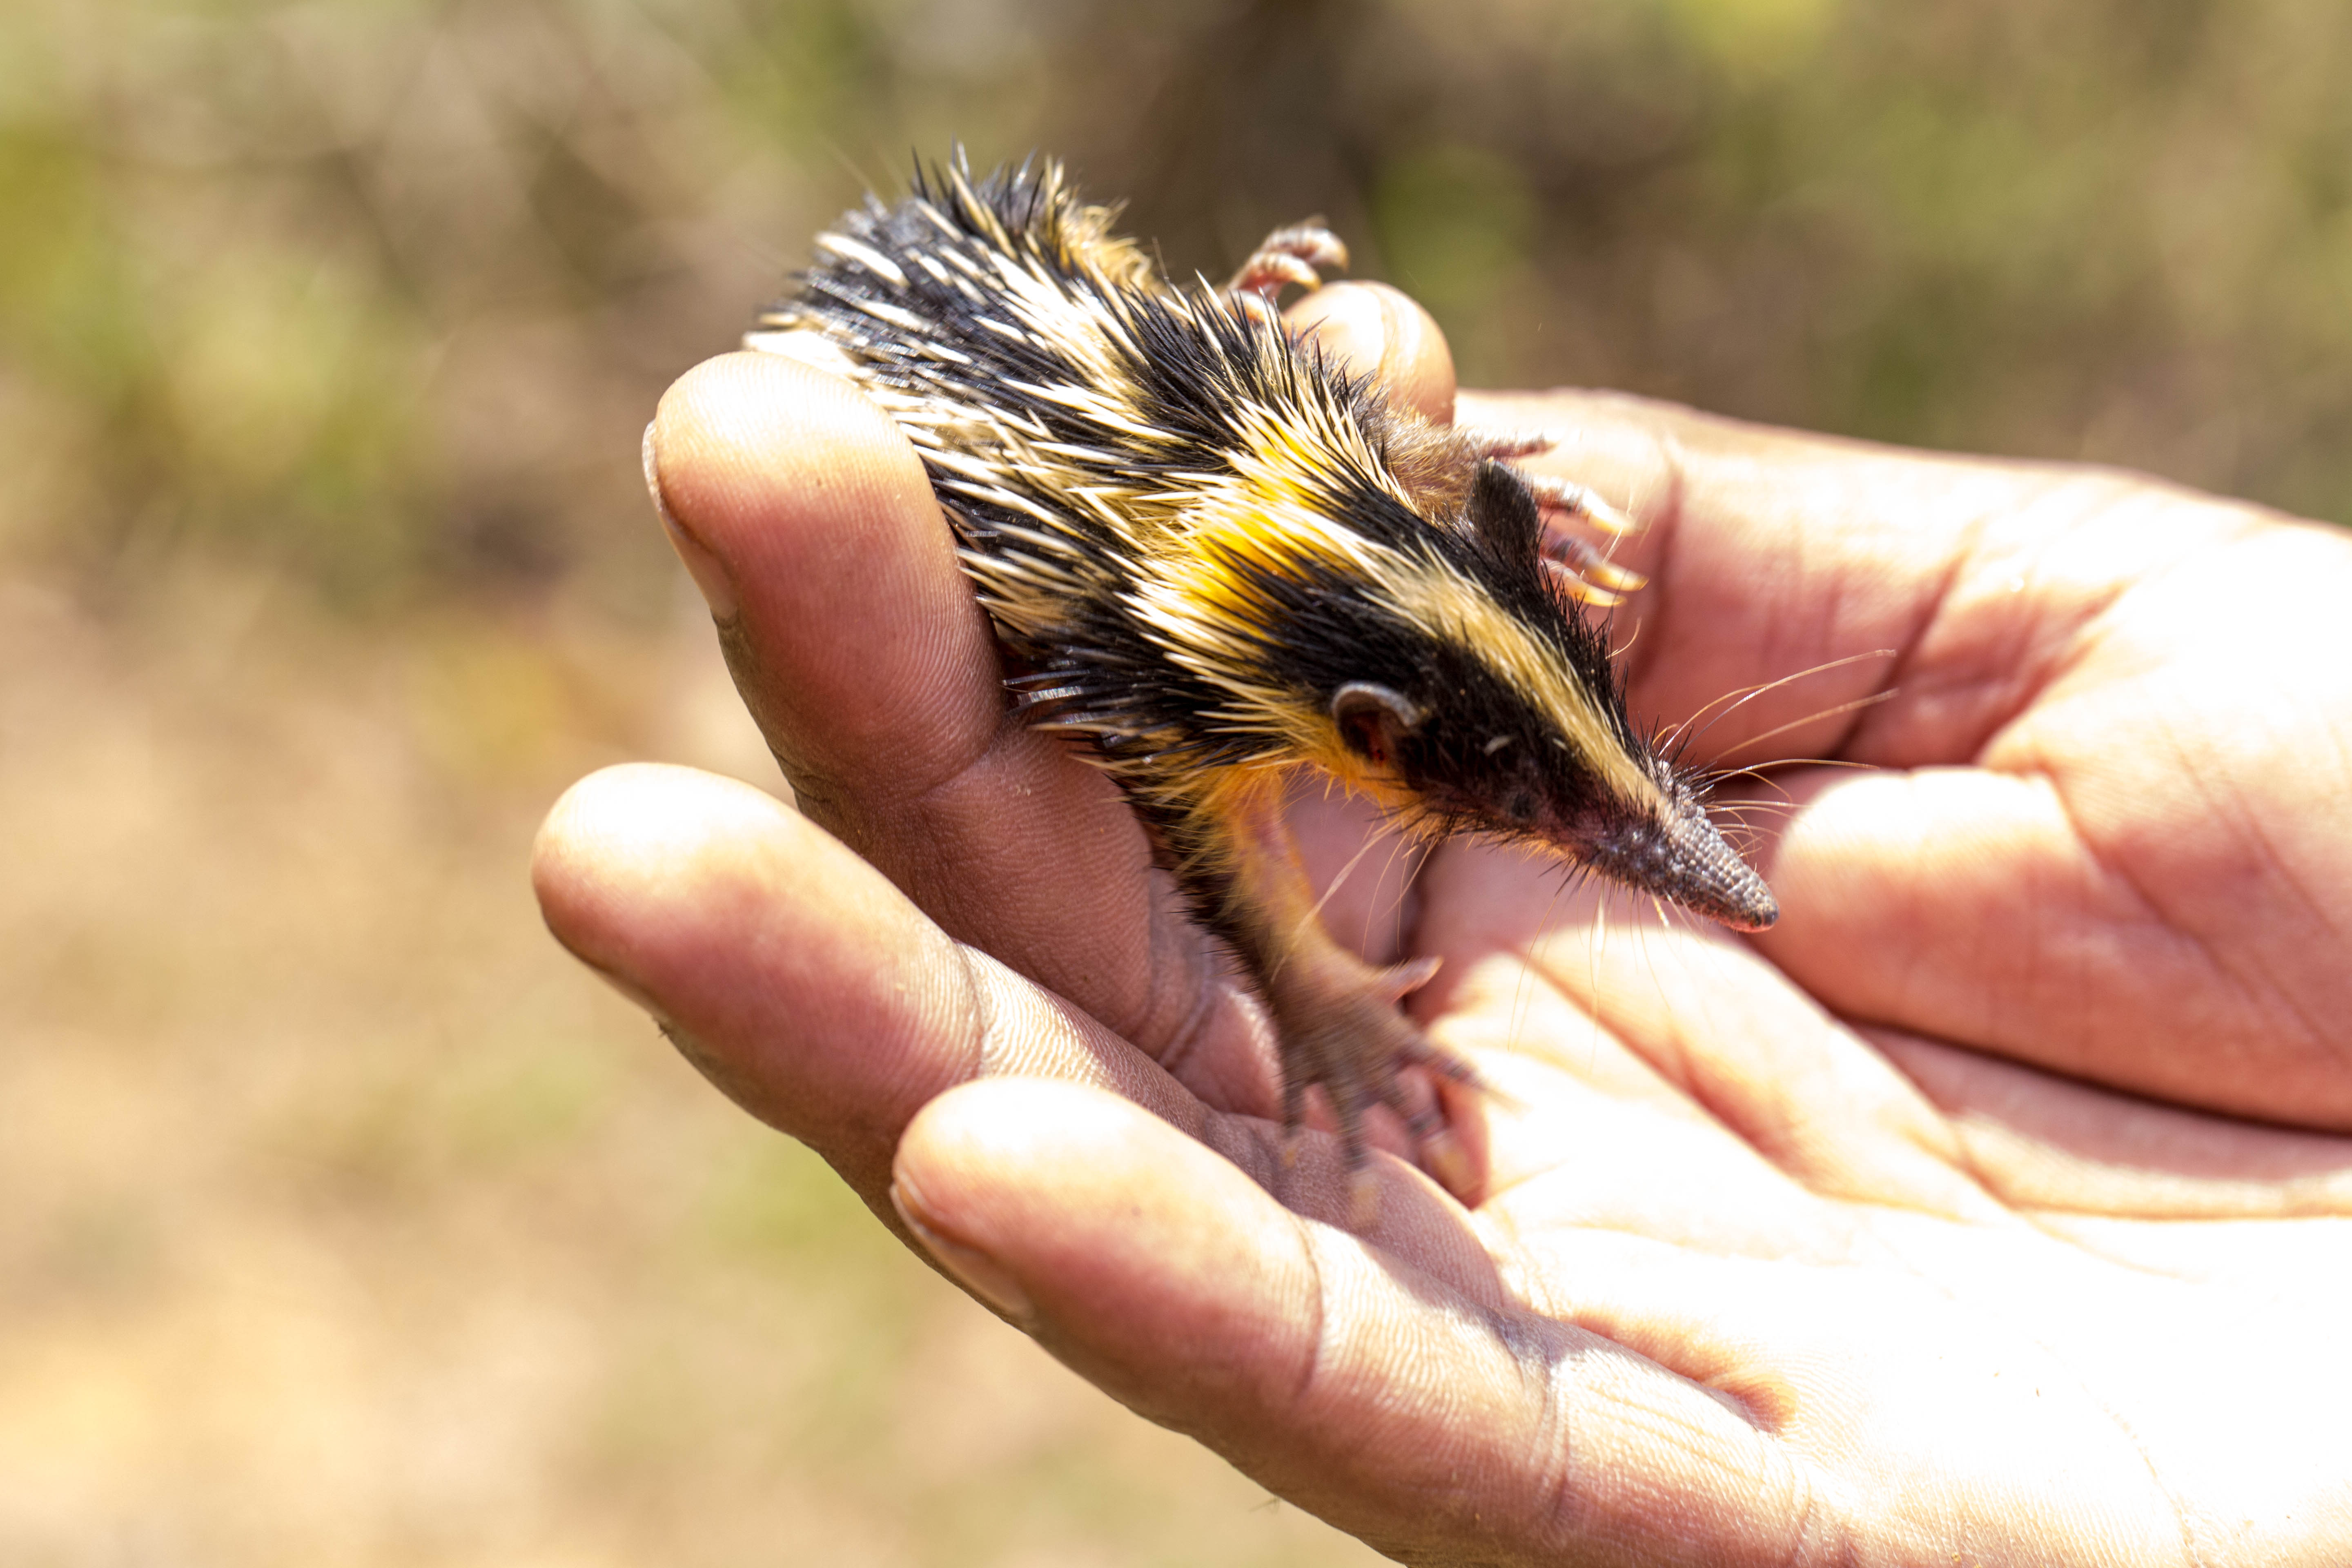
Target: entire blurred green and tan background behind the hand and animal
x=342, y=1221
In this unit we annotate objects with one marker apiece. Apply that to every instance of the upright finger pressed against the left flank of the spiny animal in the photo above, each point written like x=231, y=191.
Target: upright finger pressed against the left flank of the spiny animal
x=871, y=671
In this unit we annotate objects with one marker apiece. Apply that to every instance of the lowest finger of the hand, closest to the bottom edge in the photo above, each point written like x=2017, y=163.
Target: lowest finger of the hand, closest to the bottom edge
x=1412, y=1412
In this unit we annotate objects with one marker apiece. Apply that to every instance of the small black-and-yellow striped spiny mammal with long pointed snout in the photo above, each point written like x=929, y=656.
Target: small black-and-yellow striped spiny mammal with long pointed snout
x=1217, y=561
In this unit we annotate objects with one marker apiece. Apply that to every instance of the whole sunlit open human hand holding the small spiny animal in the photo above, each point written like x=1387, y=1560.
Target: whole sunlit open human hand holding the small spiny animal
x=1991, y=1209
